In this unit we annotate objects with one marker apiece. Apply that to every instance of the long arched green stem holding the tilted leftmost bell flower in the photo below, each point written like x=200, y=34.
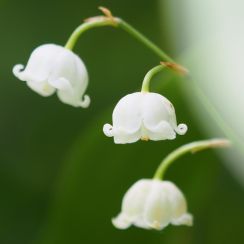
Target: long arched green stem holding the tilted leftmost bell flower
x=101, y=21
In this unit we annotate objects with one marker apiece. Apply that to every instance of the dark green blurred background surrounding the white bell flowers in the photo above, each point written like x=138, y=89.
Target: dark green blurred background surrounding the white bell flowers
x=61, y=179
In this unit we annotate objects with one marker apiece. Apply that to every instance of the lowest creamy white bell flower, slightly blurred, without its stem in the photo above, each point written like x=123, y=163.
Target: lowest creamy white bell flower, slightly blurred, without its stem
x=153, y=204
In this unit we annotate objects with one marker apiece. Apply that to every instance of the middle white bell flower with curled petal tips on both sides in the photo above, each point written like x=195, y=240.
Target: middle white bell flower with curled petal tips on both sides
x=143, y=115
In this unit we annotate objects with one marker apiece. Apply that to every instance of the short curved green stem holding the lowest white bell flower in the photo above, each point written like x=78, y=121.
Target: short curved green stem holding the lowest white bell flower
x=191, y=147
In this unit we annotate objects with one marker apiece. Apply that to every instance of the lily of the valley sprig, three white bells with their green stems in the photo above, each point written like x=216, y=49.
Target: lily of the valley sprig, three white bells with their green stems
x=149, y=203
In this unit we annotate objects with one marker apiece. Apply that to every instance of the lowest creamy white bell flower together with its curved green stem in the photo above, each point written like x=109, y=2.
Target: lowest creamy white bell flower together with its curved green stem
x=155, y=203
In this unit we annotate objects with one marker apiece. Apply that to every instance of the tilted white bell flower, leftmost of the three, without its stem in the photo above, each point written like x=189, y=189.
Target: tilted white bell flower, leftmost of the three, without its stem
x=54, y=68
